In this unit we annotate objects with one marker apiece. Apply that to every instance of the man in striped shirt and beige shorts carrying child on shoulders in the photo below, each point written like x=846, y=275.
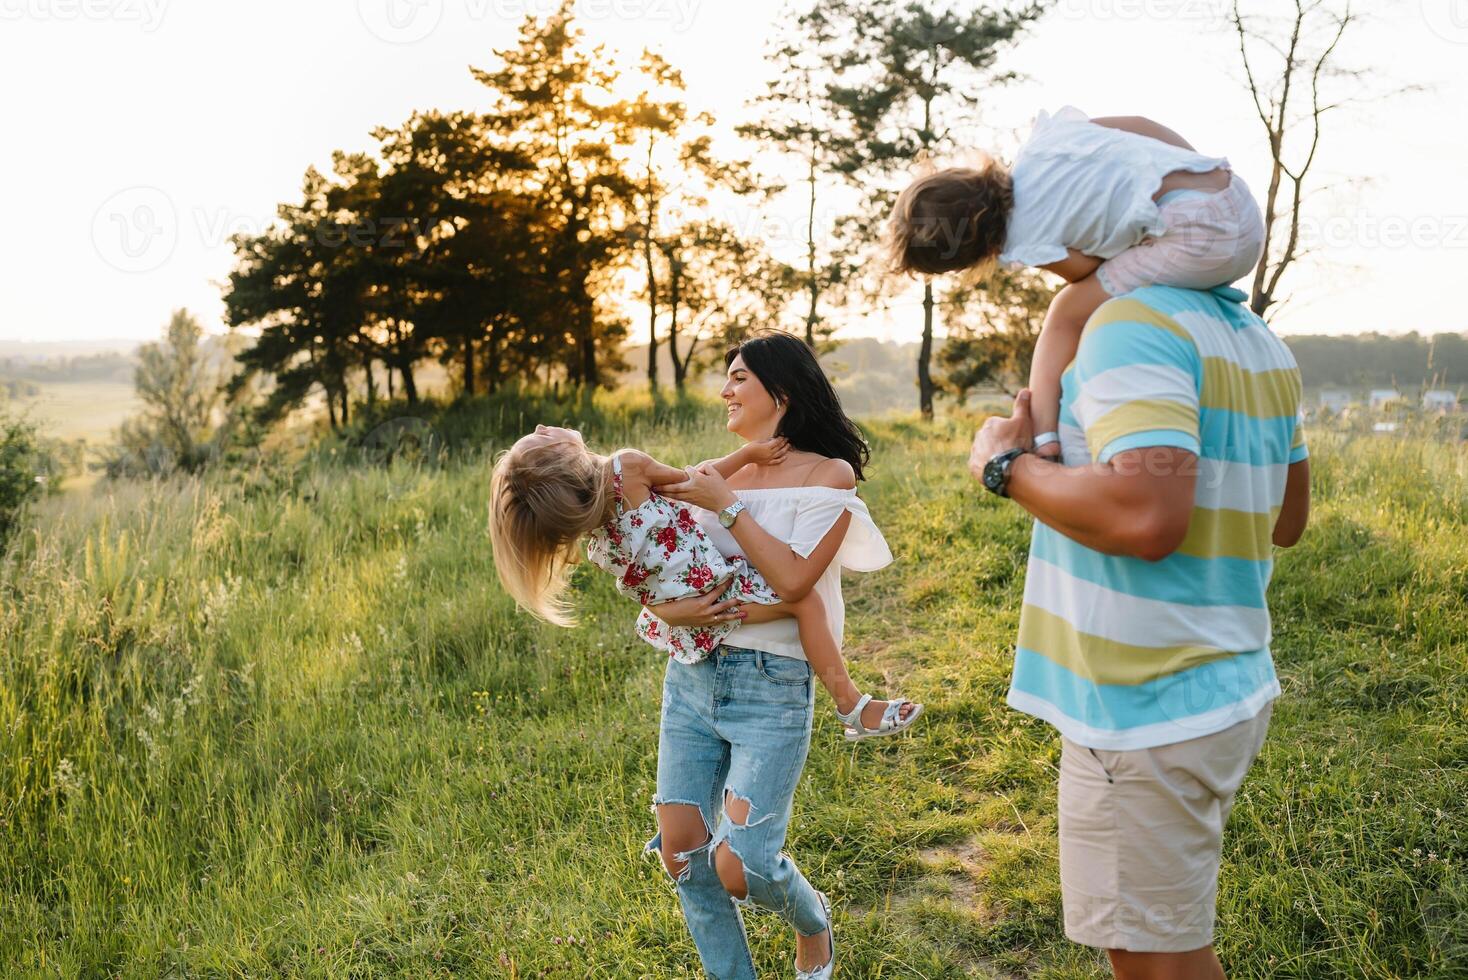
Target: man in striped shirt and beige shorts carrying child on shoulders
x=1146, y=635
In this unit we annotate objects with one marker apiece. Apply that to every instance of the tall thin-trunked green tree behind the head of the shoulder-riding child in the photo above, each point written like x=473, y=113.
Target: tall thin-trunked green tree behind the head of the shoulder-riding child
x=911, y=76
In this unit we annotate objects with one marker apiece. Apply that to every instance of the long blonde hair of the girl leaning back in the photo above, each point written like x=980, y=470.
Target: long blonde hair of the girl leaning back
x=542, y=500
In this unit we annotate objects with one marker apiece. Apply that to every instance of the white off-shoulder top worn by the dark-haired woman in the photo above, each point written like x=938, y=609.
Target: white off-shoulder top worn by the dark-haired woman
x=802, y=517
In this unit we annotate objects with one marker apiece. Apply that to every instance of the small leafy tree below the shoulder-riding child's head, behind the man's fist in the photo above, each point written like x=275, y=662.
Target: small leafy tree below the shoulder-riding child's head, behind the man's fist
x=993, y=328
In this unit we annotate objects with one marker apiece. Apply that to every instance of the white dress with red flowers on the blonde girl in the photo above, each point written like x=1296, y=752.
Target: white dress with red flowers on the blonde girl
x=658, y=552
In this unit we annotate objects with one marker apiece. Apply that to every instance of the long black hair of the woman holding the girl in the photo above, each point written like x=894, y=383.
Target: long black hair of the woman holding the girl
x=814, y=419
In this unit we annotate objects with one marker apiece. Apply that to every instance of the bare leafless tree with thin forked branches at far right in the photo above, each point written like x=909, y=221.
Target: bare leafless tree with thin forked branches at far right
x=1294, y=74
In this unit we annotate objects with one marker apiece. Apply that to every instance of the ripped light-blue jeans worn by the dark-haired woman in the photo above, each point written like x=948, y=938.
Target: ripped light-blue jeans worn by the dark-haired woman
x=738, y=723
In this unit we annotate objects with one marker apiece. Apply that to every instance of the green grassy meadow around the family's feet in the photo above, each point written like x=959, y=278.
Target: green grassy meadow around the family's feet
x=286, y=724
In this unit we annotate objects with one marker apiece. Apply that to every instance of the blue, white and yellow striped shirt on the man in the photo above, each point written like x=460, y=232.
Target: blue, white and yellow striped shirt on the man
x=1124, y=654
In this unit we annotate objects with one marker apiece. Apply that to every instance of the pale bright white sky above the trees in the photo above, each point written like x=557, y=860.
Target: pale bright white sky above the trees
x=142, y=134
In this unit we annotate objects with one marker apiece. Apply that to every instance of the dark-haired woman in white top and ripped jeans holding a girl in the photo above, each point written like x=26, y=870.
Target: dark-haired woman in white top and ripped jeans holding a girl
x=736, y=727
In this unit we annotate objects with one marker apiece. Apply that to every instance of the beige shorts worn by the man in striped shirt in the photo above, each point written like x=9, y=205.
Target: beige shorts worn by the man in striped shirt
x=1141, y=837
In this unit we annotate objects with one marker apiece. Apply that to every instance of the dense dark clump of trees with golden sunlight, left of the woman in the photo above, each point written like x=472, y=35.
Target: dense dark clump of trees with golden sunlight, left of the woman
x=440, y=249
